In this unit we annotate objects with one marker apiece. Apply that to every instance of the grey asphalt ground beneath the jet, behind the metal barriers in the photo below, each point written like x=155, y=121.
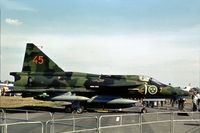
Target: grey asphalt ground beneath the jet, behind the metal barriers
x=157, y=120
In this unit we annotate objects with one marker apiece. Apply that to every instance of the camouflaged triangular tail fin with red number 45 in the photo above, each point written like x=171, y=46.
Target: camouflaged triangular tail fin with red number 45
x=36, y=61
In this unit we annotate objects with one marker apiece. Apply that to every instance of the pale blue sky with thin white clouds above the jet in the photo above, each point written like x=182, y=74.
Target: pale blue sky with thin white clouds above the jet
x=157, y=38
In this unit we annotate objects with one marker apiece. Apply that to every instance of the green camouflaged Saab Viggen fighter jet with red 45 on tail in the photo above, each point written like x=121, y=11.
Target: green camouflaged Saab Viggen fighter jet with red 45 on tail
x=43, y=79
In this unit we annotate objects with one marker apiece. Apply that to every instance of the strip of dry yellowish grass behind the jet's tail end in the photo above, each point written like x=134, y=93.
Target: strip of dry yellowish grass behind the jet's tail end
x=16, y=102
